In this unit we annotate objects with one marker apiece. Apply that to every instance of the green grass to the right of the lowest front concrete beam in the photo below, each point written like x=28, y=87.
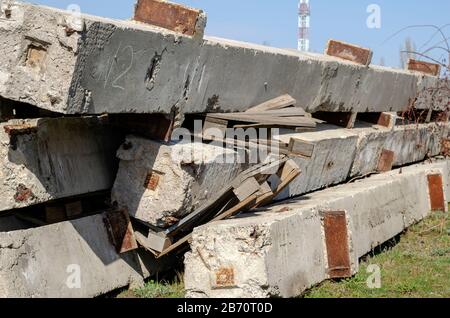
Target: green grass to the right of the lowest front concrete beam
x=418, y=266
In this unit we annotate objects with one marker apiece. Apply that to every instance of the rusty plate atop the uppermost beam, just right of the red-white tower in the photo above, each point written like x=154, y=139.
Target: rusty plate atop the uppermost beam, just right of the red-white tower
x=349, y=52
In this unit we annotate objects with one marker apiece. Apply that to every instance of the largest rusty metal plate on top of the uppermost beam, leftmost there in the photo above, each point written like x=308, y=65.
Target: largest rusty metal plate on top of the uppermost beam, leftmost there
x=167, y=15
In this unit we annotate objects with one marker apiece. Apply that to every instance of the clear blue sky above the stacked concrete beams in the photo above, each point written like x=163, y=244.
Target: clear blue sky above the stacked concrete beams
x=275, y=22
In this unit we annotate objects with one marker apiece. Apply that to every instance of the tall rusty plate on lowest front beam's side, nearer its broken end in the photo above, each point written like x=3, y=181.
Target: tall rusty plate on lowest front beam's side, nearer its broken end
x=336, y=238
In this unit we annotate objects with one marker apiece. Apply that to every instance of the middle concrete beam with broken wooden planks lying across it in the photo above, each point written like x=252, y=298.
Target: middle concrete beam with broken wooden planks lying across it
x=187, y=175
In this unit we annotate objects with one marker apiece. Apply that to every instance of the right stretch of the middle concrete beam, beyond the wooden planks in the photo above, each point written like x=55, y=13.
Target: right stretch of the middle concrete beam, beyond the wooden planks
x=341, y=154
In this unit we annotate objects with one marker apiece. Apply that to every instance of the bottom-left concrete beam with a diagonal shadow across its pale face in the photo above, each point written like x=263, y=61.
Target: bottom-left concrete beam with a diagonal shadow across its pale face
x=44, y=262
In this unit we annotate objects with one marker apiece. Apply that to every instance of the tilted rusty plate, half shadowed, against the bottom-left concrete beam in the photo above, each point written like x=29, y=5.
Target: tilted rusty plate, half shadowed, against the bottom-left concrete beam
x=120, y=231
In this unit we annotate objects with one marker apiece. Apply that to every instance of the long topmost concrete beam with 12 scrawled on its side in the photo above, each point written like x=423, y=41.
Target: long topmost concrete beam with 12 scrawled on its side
x=62, y=63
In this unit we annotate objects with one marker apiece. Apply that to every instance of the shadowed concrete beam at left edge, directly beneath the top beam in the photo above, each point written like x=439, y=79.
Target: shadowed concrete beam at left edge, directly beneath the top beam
x=47, y=159
